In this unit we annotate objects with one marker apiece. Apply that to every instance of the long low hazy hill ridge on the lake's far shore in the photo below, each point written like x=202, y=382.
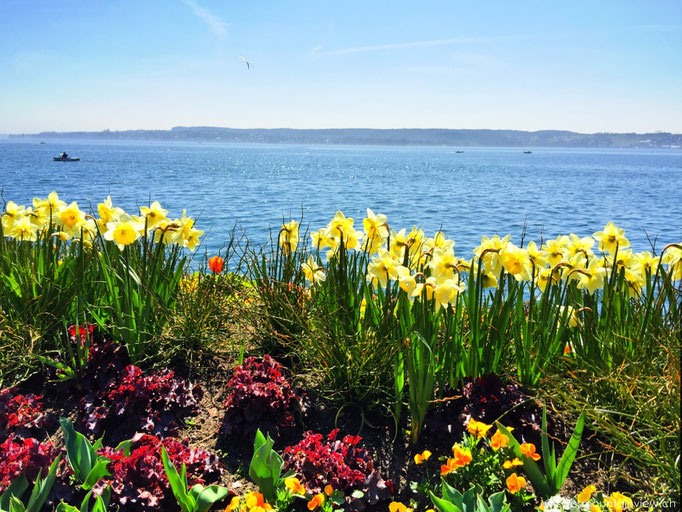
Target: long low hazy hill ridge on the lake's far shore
x=397, y=137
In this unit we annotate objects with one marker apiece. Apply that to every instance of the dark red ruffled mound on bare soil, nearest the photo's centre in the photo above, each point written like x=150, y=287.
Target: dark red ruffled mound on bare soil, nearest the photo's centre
x=261, y=397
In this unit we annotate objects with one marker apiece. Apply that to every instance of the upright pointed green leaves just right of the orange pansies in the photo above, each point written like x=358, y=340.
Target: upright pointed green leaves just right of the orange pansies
x=547, y=481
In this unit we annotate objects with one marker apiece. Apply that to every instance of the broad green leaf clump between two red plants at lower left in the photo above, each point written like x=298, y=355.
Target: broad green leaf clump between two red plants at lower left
x=87, y=465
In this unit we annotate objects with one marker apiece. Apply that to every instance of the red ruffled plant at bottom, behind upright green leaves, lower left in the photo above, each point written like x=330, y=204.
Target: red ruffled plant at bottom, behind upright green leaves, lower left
x=138, y=479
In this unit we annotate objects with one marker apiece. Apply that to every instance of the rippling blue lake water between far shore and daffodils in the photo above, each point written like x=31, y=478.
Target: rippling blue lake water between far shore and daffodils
x=481, y=191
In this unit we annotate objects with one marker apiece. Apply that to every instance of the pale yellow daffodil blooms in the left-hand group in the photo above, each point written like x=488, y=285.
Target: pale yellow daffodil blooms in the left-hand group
x=70, y=222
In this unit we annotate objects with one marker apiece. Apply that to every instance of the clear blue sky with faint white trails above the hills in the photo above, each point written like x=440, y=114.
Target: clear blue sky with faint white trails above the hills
x=128, y=64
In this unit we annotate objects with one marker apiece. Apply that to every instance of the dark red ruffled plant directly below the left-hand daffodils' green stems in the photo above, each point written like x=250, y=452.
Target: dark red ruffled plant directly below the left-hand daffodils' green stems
x=155, y=403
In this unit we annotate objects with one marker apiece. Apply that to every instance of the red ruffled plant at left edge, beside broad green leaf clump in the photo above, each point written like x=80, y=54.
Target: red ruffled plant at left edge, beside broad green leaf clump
x=27, y=456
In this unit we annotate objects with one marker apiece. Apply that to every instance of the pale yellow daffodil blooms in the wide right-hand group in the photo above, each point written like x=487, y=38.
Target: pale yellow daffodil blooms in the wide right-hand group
x=404, y=257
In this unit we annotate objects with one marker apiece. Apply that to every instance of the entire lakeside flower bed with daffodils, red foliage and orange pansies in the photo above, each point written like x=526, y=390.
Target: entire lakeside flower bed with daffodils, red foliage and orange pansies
x=362, y=369
